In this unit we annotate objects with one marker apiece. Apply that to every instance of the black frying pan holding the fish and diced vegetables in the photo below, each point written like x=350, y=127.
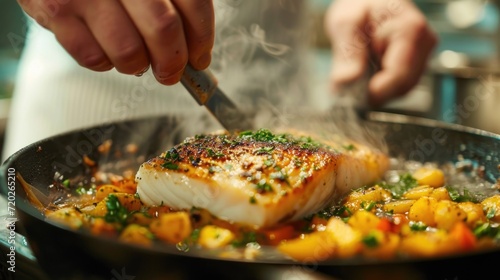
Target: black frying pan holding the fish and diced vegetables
x=68, y=254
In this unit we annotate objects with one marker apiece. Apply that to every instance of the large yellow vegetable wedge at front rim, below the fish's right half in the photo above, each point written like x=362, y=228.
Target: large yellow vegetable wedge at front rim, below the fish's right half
x=312, y=247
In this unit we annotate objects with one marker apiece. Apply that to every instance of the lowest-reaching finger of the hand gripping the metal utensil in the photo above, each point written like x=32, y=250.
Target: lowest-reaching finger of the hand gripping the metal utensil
x=161, y=27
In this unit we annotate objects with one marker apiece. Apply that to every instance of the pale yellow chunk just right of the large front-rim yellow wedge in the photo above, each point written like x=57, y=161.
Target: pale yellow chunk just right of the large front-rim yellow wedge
x=347, y=238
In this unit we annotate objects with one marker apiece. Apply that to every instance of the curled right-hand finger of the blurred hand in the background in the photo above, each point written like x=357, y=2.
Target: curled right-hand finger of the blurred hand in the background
x=404, y=61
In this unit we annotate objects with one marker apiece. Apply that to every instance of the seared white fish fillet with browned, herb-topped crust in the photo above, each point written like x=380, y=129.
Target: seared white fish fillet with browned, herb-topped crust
x=257, y=178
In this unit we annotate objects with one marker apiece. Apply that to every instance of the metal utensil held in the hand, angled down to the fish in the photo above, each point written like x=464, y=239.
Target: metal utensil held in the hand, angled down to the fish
x=202, y=85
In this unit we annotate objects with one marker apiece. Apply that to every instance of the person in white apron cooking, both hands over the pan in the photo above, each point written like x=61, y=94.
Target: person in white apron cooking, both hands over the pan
x=81, y=61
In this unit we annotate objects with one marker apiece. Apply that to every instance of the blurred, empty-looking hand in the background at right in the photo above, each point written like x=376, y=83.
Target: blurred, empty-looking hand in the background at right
x=394, y=33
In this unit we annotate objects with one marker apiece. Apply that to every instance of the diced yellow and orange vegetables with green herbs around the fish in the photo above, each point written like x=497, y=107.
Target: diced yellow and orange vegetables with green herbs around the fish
x=418, y=215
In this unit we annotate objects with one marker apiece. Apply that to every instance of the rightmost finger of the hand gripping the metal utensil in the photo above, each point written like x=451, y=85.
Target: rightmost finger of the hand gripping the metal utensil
x=199, y=27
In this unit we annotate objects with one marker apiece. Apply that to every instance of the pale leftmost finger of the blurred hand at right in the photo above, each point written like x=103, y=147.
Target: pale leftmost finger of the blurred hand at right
x=345, y=26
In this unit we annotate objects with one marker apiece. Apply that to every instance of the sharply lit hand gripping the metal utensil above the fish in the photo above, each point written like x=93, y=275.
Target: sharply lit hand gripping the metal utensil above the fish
x=131, y=35
